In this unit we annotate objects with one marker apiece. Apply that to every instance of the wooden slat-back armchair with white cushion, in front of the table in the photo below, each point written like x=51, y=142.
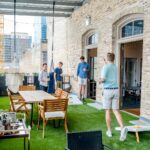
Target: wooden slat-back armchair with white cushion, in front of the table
x=53, y=110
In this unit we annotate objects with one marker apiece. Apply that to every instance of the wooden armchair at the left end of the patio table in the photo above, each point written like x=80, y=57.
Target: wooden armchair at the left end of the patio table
x=17, y=104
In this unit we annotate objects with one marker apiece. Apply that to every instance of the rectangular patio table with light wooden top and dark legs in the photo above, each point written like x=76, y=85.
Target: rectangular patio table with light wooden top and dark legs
x=33, y=97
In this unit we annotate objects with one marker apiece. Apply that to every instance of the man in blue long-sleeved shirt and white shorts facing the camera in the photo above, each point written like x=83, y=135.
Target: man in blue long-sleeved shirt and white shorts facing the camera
x=82, y=74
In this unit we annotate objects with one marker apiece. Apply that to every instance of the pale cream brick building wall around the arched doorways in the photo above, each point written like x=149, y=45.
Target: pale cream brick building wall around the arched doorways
x=69, y=35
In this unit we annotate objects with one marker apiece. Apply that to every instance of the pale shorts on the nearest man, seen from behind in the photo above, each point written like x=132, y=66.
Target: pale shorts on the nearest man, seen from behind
x=111, y=99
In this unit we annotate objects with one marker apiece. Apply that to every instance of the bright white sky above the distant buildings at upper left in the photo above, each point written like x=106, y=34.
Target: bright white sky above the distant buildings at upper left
x=24, y=24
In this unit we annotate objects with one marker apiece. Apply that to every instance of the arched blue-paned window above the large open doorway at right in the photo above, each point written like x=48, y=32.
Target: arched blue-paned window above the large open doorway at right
x=132, y=28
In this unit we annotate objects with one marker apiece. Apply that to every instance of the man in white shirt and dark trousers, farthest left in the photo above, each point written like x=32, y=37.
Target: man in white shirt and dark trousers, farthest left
x=43, y=78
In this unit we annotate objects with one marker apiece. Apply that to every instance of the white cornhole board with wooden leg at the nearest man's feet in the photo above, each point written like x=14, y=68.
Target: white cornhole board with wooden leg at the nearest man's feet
x=136, y=129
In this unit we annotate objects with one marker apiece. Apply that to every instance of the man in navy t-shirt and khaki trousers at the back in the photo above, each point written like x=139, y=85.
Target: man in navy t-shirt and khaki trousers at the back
x=58, y=75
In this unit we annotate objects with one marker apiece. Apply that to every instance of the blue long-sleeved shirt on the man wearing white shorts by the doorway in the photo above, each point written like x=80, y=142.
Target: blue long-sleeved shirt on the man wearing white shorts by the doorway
x=83, y=69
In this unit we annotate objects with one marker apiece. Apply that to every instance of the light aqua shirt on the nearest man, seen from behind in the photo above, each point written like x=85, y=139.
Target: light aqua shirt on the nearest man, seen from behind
x=109, y=74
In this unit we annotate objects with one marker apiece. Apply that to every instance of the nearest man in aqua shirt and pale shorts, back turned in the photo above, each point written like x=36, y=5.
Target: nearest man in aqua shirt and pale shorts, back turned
x=111, y=95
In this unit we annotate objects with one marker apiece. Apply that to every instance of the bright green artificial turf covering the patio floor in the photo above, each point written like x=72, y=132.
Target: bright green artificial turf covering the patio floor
x=80, y=118
